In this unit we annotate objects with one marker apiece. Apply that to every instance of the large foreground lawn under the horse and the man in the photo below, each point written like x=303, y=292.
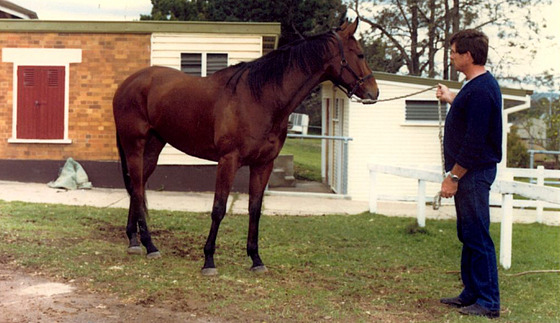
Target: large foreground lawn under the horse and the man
x=360, y=268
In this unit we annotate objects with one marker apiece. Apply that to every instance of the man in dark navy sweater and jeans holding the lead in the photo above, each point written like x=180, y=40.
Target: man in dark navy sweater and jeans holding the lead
x=472, y=148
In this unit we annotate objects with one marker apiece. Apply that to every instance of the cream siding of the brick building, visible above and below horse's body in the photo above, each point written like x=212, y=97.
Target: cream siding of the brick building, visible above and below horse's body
x=167, y=49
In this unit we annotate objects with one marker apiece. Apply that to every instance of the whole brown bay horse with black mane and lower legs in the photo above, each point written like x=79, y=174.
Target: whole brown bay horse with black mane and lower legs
x=237, y=117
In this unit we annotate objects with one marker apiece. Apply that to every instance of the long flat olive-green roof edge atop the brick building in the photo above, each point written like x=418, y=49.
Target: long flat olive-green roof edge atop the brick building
x=140, y=27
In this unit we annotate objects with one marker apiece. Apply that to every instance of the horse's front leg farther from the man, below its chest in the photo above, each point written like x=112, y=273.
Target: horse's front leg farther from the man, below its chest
x=227, y=167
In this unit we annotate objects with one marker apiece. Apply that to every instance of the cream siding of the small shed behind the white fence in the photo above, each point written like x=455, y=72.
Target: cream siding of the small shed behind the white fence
x=381, y=134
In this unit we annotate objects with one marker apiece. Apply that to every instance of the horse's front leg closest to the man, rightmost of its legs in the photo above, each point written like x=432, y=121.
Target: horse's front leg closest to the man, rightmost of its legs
x=258, y=180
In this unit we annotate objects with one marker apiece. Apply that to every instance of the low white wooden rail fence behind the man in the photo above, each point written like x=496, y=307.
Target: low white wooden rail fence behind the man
x=545, y=196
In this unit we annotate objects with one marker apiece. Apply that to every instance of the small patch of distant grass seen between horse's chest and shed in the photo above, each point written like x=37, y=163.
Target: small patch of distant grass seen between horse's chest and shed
x=307, y=157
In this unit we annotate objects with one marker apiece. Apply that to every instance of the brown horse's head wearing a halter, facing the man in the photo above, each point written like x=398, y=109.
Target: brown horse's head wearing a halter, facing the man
x=349, y=68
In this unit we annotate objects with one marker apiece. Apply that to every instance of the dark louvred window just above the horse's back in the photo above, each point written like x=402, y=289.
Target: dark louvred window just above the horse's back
x=202, y=64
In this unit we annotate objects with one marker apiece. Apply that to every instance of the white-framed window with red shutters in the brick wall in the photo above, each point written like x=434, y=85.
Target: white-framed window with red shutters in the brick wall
x=40, y=97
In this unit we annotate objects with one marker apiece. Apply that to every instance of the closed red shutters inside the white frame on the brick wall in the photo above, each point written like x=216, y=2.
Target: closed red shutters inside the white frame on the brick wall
x=40, y=111
